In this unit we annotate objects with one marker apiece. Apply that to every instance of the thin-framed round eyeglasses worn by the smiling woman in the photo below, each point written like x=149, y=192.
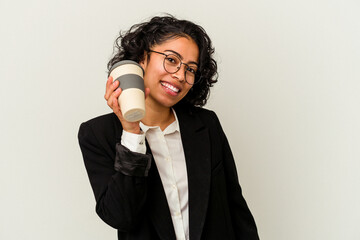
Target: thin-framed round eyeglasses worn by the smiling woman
x=172, y=64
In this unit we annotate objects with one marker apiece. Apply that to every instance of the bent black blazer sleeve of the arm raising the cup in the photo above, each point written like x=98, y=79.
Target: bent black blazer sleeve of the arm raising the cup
x=118, y=179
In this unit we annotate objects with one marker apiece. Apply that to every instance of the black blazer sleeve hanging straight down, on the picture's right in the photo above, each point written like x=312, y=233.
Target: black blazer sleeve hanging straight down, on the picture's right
x=243, y=222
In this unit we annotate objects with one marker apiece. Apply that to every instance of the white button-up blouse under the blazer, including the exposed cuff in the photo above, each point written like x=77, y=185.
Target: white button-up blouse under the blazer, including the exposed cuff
x=167, y=149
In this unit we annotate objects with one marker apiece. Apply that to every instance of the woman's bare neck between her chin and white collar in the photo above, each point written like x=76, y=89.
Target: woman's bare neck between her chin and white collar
x=158, y=116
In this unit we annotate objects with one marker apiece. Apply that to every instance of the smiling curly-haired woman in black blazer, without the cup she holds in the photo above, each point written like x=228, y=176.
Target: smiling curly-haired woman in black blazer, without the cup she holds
x=172, y=175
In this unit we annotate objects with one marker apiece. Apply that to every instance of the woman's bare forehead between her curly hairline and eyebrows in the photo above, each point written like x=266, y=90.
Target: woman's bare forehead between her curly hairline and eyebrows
x=185, y=47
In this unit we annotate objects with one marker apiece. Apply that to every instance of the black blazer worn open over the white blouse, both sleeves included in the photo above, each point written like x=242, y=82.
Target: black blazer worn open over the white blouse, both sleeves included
x=136, y=204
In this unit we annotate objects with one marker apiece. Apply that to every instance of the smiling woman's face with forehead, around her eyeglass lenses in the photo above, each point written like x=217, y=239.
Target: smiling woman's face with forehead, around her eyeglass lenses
x=167, y=89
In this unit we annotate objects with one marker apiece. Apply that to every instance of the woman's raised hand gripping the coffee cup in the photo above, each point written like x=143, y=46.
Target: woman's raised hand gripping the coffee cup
x=111, y=96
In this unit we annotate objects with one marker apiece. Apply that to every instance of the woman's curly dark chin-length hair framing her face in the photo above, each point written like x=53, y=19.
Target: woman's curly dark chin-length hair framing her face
x=140, y=38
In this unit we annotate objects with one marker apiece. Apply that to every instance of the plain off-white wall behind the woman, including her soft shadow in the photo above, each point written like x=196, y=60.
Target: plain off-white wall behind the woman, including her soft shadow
x=287, y=97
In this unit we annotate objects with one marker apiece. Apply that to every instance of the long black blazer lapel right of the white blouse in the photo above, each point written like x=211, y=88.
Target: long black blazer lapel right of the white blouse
x=196, y=143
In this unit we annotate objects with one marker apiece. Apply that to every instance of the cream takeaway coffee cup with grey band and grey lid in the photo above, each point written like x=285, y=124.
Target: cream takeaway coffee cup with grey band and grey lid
x=132, y=99
